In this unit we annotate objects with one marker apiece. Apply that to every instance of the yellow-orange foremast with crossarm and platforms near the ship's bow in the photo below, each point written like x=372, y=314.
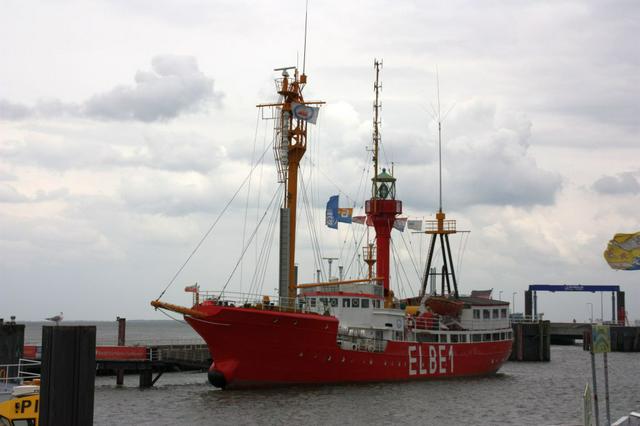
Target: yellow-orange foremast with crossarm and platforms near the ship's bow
x=292, y=116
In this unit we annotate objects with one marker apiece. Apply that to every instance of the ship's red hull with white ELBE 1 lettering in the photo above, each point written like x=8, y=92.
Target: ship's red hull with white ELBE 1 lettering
x=251, y=347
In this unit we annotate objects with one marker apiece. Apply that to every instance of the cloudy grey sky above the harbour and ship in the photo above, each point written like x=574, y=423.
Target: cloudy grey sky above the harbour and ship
x=126, y=126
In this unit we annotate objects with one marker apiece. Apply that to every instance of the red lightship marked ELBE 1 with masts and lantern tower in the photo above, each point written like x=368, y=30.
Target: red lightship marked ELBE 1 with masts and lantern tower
x=346, y=330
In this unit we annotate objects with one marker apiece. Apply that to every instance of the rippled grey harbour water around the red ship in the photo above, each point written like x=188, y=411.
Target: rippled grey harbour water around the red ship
x=521, y=394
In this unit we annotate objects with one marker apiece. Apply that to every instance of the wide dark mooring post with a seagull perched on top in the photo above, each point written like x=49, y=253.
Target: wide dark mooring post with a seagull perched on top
x=68, y=375
